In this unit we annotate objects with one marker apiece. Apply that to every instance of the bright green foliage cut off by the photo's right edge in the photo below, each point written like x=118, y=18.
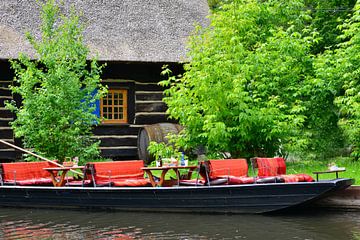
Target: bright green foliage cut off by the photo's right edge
x=341, y=69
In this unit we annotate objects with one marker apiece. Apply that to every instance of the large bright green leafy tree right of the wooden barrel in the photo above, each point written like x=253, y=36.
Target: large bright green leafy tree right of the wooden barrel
x=245, y=87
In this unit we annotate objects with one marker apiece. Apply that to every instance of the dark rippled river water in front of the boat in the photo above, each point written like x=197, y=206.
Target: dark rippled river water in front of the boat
x=64, y=224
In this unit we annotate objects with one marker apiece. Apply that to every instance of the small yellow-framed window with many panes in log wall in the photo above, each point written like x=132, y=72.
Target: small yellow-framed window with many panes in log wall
x=113, y=106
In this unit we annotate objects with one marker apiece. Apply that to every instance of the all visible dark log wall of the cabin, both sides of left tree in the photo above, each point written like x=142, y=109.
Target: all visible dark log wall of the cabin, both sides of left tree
x=118, y=141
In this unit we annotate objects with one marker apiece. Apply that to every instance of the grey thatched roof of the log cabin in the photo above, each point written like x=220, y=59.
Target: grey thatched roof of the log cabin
x=116, y=30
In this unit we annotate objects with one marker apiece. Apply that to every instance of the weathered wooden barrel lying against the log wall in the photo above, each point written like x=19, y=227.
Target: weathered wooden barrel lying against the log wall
x=157, y=133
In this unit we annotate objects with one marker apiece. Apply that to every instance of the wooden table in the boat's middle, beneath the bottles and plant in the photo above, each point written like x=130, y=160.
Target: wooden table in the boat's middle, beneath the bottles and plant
x=164, y=170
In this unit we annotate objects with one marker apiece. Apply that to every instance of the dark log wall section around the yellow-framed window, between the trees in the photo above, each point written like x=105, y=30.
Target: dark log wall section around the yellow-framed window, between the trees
x=145, y=106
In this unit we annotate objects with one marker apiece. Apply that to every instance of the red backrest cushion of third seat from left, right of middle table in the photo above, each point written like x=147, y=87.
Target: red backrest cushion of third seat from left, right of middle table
x=228, y=167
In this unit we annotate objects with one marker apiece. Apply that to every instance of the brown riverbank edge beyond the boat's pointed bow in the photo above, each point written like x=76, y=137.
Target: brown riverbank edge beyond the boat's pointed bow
x=345, y=199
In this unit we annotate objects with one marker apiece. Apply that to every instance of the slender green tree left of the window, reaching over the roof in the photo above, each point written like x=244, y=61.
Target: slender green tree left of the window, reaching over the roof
x=58, y=90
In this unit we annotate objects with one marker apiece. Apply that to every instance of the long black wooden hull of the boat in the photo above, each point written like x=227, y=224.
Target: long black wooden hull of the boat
x=252, y=198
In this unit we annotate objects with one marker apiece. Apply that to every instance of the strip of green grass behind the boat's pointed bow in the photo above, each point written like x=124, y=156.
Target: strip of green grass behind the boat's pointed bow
x=308, y=167
